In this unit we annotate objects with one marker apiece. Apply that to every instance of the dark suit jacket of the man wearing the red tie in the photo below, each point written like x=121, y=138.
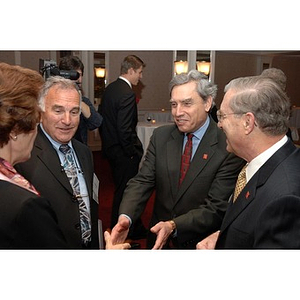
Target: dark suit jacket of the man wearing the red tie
x=199, y=204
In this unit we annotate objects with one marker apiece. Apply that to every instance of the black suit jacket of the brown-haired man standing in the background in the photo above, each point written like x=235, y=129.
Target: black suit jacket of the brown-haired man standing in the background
x=118, y=130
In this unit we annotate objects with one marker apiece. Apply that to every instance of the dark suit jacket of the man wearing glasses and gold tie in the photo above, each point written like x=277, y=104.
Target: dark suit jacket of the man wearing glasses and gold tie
x=266, y=213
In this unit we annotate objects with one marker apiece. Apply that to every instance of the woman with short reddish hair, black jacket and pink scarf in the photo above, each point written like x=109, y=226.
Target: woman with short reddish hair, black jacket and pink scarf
x=27, y=221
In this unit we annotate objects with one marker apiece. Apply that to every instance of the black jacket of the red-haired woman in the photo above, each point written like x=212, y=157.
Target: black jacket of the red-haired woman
x=27, y=221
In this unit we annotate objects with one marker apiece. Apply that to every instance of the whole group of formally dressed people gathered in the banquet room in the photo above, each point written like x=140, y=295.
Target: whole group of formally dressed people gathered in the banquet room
x=230, y=184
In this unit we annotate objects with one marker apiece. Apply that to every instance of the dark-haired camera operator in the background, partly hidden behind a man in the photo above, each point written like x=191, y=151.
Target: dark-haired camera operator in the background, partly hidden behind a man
x=90, y=119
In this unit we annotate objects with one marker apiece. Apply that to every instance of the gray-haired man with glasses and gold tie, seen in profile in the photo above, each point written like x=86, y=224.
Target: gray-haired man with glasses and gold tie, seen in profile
x=254, y=115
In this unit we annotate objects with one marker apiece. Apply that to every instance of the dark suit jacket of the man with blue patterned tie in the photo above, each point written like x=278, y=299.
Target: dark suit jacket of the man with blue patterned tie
x=44, y=171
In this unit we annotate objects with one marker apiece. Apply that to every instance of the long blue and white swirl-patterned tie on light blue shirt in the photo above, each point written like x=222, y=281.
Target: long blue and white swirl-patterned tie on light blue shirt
x=70, y=170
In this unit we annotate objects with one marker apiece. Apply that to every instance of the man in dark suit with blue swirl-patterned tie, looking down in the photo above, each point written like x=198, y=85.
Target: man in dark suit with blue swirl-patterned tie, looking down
x=60, y=105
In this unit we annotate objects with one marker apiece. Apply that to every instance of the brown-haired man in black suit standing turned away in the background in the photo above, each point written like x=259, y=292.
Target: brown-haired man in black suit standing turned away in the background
x=121, y=144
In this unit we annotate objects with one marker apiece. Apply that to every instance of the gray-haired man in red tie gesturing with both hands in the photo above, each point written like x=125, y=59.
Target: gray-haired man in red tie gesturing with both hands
x=183, y=212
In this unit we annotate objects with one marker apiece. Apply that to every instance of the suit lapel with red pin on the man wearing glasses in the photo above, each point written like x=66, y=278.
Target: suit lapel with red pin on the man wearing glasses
x=258, y=180
